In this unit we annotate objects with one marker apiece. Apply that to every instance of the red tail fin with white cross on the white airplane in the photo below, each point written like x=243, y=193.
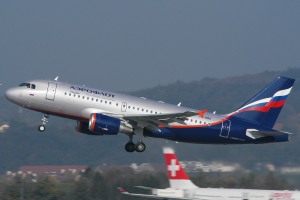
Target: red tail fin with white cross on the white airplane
x=177, y=176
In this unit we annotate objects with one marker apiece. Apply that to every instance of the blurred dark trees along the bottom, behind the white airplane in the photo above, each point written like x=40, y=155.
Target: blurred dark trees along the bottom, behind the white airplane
x=94, y=184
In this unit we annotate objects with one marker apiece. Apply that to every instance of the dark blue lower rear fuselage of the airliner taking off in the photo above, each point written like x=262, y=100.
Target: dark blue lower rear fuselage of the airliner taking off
x=212, y=134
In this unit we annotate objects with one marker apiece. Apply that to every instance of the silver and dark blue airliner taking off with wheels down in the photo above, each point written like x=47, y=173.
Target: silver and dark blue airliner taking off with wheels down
x=100, y=112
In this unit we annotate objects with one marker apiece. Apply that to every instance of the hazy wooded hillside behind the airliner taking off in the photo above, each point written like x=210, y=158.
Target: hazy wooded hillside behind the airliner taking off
x=22, y=144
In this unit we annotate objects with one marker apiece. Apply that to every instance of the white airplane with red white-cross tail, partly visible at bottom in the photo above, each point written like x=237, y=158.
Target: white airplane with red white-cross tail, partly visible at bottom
x=181, y=187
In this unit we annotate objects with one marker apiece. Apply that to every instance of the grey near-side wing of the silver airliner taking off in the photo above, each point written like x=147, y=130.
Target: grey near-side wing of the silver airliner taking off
x=152, y=122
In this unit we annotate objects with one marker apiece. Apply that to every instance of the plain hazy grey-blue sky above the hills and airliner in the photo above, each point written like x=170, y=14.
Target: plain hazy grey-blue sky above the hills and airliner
x=127, y=45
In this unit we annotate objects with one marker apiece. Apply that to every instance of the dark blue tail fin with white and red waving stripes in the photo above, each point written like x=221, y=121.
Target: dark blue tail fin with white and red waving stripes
x=265, y=106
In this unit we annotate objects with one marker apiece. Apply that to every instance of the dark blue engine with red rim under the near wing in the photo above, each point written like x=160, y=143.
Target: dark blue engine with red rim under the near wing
x=103, y=124
